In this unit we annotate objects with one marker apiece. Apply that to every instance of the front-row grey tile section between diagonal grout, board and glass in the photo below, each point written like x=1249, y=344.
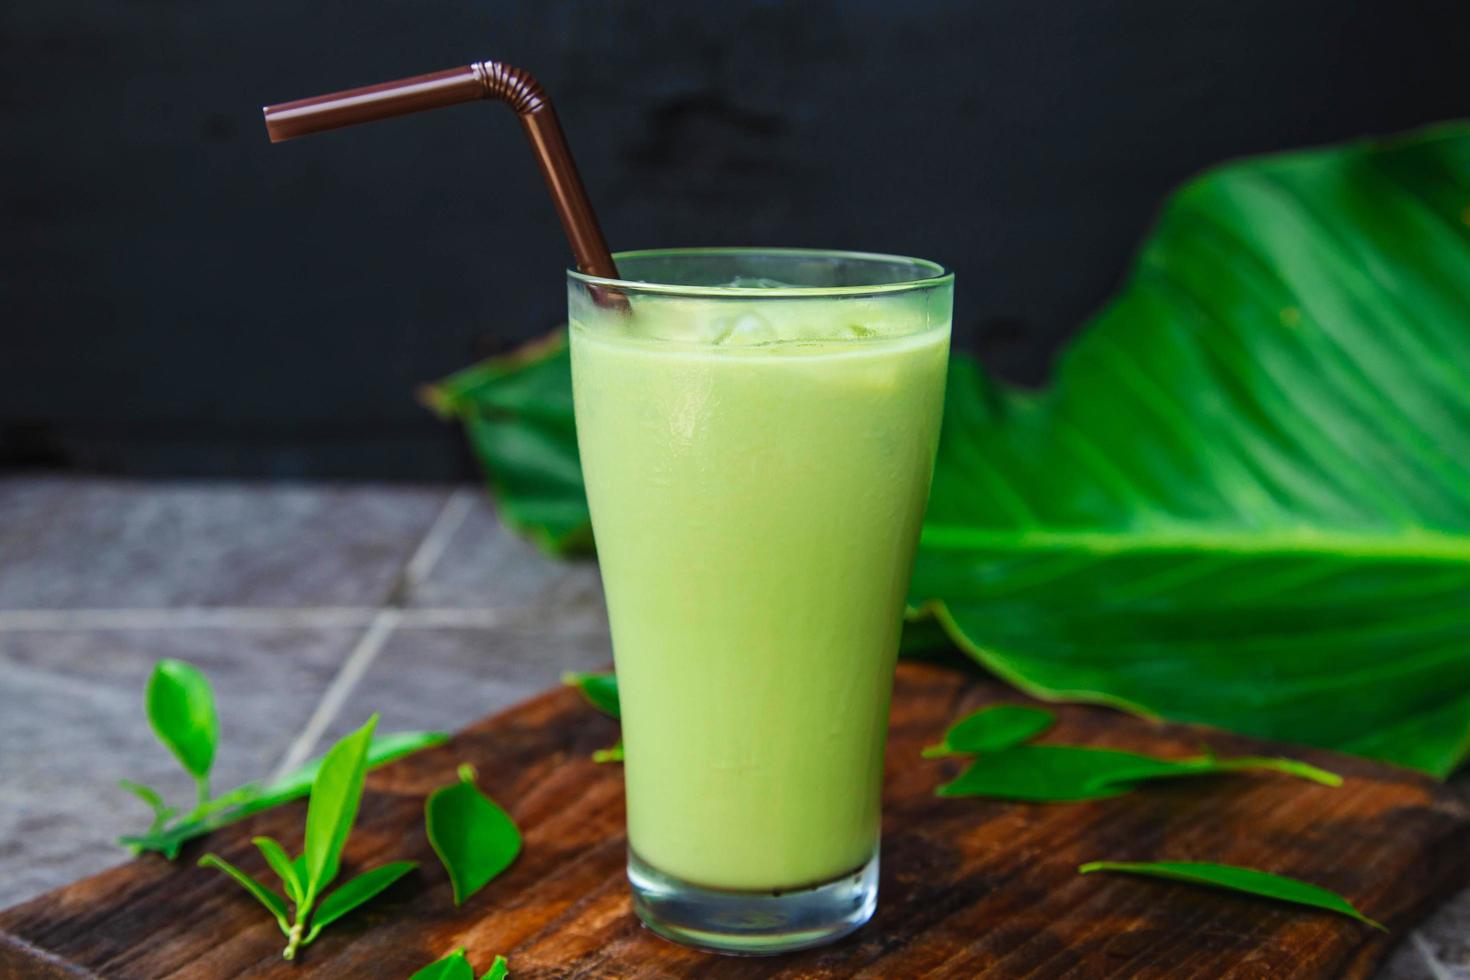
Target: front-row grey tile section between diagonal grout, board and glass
x=448, y=678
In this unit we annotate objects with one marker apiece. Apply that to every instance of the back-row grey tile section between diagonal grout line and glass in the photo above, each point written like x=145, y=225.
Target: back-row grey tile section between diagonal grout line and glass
x=489, y=566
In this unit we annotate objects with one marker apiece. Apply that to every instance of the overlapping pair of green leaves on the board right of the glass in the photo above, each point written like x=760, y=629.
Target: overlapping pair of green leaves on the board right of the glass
x=1009, y=769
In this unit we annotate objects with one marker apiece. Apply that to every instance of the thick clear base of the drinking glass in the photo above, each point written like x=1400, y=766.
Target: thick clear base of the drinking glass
x=753, y=923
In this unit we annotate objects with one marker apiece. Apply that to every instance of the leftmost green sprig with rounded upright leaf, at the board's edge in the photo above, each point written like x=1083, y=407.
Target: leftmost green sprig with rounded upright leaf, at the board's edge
x=182, y=713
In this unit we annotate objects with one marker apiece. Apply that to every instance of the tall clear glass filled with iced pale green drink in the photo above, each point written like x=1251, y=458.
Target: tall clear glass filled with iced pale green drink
x=758, y=433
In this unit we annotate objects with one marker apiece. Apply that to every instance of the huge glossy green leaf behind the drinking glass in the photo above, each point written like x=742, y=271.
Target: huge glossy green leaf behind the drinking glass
x=1246, y=497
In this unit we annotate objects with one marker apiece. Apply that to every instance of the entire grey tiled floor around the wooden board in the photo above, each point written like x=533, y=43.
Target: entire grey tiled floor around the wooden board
x=309, y=606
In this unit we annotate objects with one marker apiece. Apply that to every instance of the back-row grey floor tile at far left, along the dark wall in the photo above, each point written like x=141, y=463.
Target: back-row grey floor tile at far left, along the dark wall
x=108, y=544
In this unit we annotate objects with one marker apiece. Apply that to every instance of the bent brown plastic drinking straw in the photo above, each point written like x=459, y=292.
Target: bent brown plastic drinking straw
x=481, y=80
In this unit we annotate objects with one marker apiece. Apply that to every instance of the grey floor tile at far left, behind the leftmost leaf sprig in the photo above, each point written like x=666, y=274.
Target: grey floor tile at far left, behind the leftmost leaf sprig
x=73, y=724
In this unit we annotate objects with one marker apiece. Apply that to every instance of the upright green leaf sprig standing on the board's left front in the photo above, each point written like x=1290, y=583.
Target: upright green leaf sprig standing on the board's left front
x=330, y=816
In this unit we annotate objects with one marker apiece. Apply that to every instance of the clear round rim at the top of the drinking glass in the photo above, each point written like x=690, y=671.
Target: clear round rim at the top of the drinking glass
x=940, y=275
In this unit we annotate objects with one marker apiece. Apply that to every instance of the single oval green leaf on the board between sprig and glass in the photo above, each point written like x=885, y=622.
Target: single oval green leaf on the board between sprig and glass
x=473, y=835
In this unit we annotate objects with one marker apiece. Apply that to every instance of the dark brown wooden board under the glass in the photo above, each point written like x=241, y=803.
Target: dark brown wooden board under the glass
x=969, y=887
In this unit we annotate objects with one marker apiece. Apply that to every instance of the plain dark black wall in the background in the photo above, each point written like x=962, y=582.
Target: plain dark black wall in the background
x=177, y=296
